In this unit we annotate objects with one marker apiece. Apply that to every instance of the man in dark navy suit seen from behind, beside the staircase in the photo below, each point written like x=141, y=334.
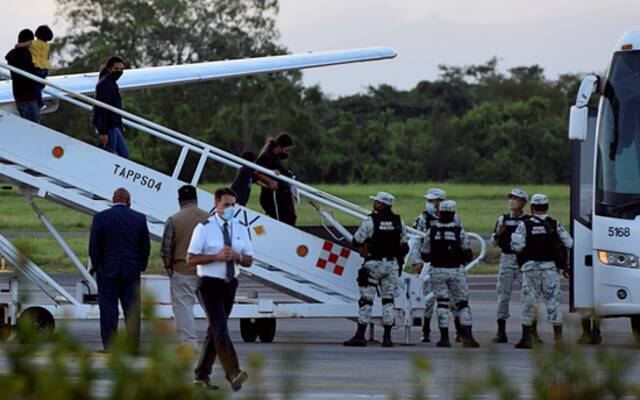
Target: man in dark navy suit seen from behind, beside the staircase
x=119, y=250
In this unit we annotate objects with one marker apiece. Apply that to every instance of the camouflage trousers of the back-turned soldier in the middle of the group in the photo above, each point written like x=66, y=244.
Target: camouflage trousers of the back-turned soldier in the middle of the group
x=451, y=289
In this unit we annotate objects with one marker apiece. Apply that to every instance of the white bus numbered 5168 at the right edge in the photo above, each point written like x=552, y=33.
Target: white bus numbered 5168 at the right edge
x=605, y=188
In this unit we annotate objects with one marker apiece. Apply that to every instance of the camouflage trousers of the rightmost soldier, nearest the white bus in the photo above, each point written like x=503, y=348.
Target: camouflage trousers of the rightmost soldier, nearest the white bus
x=541, y=280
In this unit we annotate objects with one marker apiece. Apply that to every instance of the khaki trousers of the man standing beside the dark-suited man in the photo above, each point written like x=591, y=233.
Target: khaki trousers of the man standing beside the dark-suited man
x=183, y=298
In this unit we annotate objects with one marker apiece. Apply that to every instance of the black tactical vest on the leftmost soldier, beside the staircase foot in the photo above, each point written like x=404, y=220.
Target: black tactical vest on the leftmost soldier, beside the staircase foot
x=385, y=242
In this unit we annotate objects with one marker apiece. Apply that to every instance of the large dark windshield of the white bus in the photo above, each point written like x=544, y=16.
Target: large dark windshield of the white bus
x=618, y=155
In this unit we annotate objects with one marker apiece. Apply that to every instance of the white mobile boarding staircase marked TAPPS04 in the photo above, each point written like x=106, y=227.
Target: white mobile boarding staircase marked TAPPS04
x=50, y=165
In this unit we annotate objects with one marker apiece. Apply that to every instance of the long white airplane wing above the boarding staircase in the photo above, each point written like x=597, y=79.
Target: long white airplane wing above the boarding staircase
x=188, y=73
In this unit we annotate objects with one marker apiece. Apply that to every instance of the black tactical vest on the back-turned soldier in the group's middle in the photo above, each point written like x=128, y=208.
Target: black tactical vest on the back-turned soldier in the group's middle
x=445, y=246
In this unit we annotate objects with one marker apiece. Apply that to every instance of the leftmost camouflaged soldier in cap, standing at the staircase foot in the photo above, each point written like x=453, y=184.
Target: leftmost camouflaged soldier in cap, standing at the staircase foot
x=382, y=238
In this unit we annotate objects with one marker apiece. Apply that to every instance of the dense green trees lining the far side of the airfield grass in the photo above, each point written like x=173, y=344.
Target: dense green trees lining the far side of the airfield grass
x=471, y=124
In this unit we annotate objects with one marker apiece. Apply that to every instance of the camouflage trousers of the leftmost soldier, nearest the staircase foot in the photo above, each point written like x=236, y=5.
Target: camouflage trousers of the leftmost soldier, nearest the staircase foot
x=383, y=277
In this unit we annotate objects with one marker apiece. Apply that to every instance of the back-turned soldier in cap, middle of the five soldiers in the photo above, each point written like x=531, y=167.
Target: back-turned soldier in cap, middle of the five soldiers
x=448, y=246
